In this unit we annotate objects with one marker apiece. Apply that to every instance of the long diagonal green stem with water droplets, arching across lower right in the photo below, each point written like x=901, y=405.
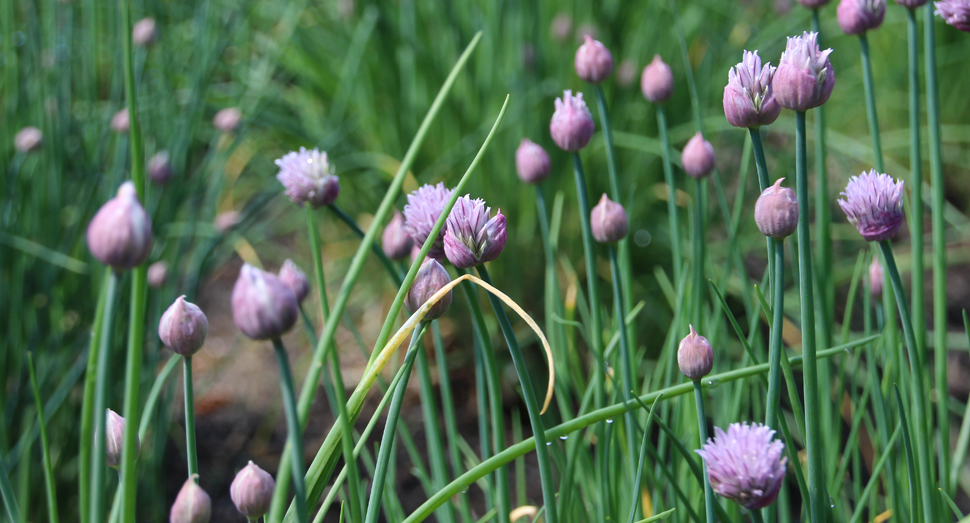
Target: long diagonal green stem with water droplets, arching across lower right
x=597, y=416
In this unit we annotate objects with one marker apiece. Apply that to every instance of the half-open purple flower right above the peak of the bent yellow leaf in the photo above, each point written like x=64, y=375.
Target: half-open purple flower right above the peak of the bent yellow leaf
x=473, y=237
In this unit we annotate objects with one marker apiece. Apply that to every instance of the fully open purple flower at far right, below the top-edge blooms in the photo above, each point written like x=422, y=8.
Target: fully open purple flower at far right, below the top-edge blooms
x=874, y=204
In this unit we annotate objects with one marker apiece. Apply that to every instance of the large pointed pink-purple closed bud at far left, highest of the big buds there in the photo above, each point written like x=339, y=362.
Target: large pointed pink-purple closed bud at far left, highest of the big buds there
x=120, y=234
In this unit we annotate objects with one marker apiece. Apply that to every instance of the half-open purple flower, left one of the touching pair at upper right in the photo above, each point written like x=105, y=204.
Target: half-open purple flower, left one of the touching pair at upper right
x=748, y=98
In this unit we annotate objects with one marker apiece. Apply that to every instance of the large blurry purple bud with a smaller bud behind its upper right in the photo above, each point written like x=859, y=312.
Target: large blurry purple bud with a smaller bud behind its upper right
x=263, y=307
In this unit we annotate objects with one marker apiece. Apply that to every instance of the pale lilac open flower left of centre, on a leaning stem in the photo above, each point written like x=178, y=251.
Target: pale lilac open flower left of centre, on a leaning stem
x=308, y=178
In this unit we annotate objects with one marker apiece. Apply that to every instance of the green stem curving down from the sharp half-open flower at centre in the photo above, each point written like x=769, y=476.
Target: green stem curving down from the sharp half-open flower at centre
x=531, y=404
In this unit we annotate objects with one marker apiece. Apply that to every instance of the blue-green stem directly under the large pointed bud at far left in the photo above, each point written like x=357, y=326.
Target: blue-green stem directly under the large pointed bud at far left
x=98, y=459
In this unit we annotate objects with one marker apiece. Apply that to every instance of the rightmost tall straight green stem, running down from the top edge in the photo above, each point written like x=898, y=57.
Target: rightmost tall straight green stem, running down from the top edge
x=939, y=250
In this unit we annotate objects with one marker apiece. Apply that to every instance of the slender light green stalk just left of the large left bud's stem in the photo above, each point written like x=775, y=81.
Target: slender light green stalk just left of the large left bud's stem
x=87, y=406
